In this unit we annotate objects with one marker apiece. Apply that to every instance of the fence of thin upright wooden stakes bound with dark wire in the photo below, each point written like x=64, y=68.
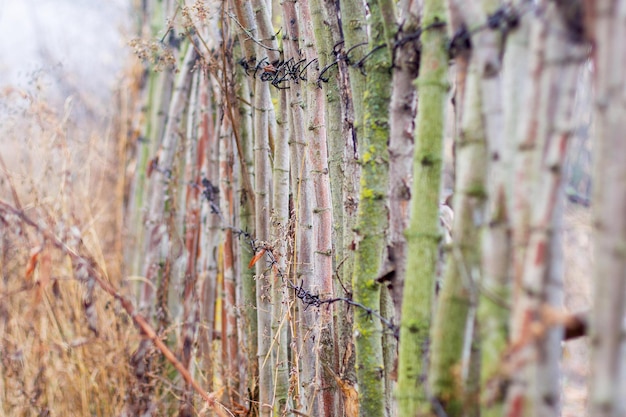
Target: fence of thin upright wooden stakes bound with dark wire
x=298, y=219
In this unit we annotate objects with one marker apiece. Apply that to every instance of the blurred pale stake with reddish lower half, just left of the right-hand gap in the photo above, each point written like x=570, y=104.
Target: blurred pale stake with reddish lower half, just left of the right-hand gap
x=538, y=354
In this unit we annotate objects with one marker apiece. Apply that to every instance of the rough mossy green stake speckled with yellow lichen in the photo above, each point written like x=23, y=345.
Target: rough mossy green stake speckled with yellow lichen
x=372, y=215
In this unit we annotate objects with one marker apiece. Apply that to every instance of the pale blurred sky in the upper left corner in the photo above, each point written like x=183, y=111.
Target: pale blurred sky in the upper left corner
x=64, y=48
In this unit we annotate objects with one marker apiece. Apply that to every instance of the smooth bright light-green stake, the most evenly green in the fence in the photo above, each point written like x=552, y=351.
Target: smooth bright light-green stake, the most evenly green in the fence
x=423, y=234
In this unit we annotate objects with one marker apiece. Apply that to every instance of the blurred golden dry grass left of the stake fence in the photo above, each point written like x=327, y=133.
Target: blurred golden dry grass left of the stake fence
x=62, y=172
